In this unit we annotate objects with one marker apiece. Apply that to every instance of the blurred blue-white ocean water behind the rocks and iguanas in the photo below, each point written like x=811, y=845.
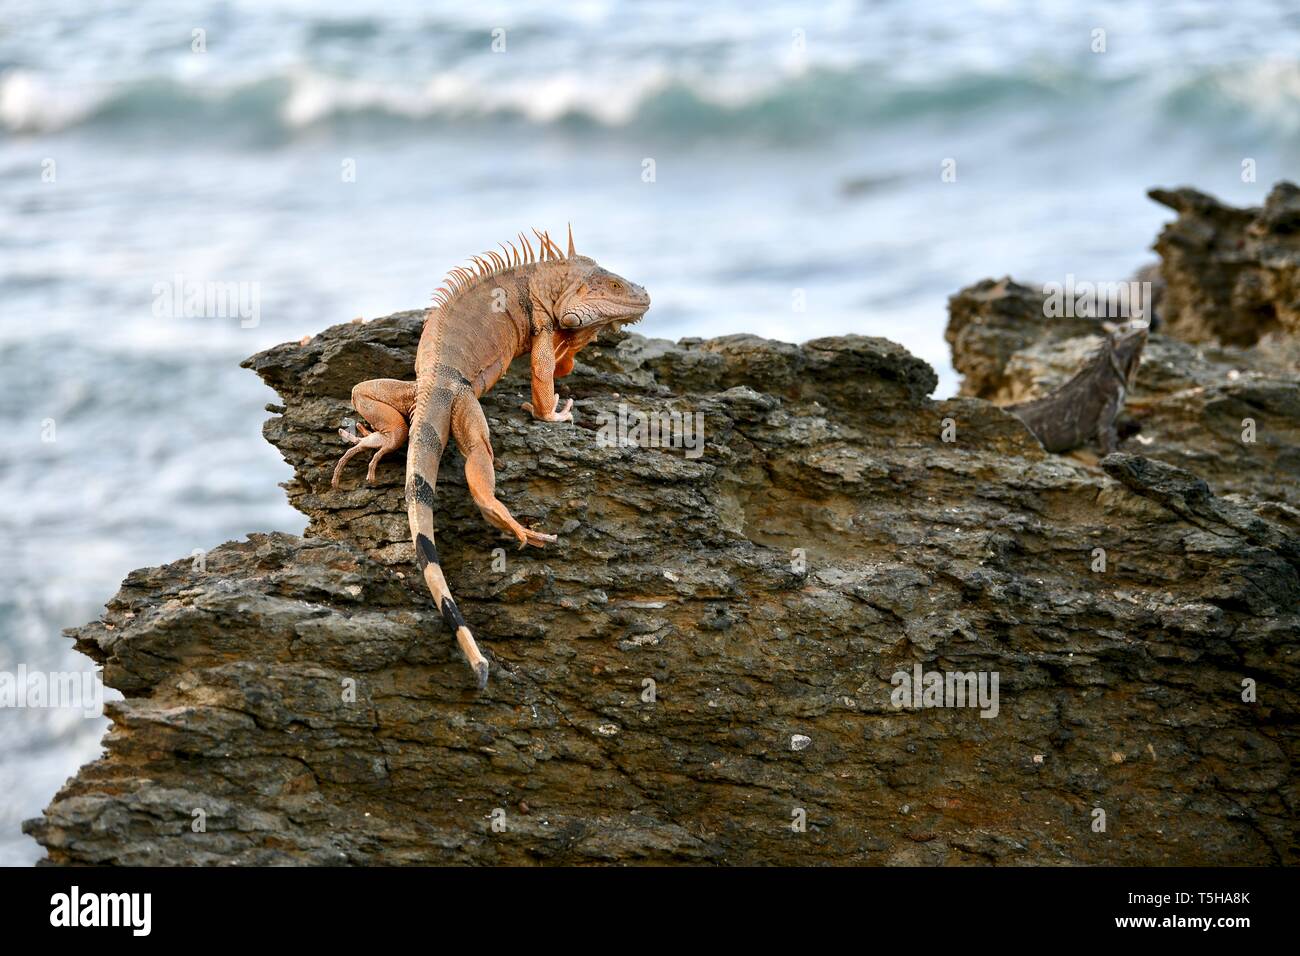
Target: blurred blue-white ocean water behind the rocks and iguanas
x=333, y=162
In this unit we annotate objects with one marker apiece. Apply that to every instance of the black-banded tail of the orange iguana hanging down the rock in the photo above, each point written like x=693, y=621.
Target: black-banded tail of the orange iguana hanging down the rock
x=431, y=422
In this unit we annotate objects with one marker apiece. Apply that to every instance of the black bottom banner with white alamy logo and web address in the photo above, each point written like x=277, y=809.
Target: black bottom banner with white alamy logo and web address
x=333, y=906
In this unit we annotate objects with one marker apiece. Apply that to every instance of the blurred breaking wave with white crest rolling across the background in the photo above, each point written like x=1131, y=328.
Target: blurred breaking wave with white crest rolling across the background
x=794, y=105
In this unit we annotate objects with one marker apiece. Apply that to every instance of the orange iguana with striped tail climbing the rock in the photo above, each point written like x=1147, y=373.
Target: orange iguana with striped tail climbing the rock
x=547, y=305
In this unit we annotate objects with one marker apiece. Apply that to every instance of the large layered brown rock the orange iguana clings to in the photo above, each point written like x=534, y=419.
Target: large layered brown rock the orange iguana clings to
x=707, y=657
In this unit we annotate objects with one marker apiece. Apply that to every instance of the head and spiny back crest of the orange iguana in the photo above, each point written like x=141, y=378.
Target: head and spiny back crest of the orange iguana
x=575, y=291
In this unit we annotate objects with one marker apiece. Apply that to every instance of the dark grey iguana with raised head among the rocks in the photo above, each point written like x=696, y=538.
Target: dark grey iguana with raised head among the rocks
x=1086, y=408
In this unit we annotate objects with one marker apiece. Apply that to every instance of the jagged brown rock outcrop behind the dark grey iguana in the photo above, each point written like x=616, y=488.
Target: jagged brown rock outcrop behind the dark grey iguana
x=1228, y=412
